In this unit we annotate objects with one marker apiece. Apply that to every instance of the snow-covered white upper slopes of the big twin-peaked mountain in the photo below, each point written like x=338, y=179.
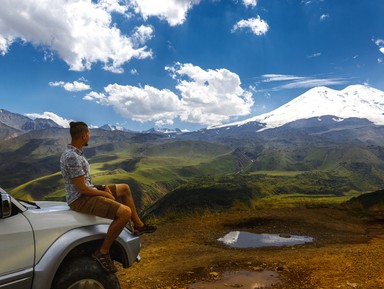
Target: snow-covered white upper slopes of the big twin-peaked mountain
x=357, y=101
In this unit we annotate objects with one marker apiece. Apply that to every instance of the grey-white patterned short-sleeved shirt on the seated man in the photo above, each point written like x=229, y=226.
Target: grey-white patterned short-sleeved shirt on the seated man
x=74, y=164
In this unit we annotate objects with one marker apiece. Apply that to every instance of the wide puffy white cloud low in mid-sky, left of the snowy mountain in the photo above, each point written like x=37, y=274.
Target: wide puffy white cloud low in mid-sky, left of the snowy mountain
x=206, y=97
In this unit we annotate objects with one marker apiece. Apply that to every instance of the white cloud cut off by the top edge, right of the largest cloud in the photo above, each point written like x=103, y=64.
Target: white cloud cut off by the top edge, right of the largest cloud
x=173, y=11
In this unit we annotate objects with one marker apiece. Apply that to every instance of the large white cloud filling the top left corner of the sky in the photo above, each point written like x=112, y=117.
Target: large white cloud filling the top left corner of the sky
x=80, y=32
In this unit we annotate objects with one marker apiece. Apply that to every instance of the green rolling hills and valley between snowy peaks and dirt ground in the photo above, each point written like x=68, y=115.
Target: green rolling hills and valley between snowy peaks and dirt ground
x=216, y=174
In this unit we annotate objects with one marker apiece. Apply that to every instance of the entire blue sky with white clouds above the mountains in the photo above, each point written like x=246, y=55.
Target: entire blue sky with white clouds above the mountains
x=188, y=64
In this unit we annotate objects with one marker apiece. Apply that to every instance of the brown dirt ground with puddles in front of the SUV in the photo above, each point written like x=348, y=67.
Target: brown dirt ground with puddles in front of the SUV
x=347, y=252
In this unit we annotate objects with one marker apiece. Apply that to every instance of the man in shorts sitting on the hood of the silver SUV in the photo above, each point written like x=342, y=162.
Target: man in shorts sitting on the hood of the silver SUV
x=82, y=196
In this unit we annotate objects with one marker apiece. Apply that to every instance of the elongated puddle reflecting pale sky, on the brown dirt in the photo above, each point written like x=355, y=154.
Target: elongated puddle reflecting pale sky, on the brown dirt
x=241, y=239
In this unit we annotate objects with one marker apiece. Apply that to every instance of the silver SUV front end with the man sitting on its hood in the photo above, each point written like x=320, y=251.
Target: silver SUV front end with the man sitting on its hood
x=45, y=245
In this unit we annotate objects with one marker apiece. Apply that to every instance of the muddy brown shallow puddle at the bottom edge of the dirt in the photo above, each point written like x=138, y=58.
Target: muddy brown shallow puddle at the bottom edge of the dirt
x=241, y=279
